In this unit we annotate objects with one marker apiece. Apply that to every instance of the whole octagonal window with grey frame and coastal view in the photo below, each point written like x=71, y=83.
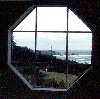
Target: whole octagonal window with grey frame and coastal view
x=50, y=48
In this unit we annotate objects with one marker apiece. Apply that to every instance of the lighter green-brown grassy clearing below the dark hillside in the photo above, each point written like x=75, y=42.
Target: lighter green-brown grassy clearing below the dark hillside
x=59, y=77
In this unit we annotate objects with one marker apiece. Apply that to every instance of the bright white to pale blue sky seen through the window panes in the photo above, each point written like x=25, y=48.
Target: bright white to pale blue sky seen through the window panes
x=53, y=19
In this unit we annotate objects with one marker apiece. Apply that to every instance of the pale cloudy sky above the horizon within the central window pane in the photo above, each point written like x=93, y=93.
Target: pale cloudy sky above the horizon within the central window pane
x=47, y=39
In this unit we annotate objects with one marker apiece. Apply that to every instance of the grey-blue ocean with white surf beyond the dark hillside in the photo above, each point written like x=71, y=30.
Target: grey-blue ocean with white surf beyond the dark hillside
x=80, y=56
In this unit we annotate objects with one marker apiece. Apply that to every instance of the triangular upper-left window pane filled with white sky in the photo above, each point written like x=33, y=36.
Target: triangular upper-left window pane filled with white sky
x=28, y=24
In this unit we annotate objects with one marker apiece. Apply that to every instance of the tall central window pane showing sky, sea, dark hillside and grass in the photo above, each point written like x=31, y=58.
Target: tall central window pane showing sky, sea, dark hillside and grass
x=51, y=48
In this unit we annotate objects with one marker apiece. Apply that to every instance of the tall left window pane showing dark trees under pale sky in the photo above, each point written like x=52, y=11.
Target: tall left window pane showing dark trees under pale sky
x=23, y=54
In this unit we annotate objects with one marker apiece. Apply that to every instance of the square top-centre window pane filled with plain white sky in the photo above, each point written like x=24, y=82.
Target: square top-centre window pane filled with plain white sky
x=52, y=18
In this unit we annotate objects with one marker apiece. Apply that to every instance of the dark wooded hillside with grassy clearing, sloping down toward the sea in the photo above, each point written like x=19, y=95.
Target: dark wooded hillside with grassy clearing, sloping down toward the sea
x=33, y=67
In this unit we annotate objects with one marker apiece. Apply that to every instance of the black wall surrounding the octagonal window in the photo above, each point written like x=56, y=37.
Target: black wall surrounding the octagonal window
x=86, y=88
